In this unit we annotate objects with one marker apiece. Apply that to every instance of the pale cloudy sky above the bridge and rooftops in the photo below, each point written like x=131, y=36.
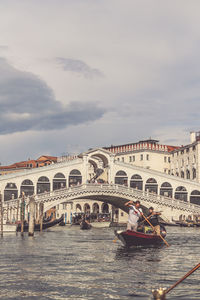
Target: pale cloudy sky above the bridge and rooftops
x=80, y=74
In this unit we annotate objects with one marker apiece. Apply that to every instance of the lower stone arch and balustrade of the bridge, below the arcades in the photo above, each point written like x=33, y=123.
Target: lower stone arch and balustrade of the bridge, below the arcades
x=113, y=194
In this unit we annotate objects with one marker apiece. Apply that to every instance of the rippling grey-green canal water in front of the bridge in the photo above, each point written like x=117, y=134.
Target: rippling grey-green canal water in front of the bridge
x=67, y=263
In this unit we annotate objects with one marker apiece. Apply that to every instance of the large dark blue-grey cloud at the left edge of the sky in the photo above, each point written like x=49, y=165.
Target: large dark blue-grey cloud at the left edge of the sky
x=27, y=103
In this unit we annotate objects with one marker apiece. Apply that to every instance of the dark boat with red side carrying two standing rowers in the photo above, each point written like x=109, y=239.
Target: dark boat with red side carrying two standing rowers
x=134, y=238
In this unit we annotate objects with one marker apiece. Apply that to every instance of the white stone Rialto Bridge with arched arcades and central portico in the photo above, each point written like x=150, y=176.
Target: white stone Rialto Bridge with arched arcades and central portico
x=97, y=176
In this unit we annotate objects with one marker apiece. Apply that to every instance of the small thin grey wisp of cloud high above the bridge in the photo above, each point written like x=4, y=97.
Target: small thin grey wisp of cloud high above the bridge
x=79, y=67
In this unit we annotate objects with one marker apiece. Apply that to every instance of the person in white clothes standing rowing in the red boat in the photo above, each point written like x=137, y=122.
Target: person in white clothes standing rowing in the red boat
x=135, y=213
